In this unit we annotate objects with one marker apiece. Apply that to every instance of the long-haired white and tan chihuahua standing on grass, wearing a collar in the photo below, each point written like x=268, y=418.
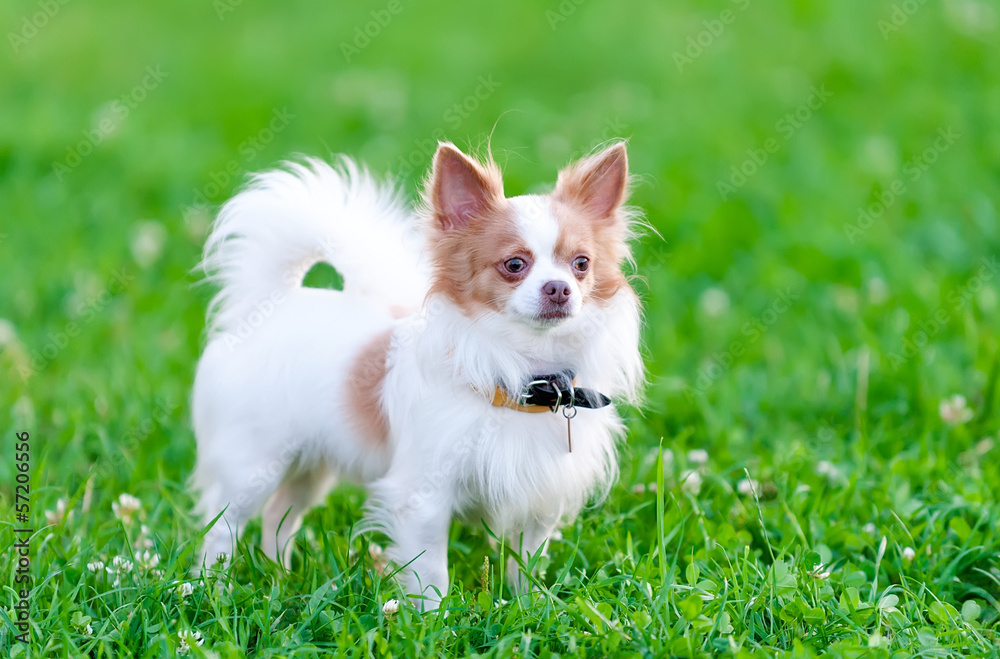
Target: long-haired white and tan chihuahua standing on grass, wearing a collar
x=466, y=370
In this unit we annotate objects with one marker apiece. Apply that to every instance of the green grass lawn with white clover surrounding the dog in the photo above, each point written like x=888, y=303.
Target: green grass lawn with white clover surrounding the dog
x=803, y=346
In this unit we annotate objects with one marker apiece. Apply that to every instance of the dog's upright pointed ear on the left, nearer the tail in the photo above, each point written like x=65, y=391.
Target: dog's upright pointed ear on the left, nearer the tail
x=461, y=189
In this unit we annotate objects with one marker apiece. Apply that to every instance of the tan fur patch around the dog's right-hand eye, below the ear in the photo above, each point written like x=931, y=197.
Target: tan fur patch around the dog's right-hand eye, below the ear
x=601, y=241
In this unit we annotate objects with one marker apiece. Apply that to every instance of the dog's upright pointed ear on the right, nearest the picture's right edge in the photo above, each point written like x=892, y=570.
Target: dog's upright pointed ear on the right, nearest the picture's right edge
x=597, y=183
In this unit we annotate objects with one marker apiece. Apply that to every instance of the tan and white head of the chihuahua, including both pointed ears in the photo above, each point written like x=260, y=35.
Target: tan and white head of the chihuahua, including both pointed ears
x=536, y=259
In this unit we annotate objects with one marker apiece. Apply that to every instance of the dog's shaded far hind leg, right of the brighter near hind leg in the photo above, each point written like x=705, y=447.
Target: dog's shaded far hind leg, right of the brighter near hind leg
x=300, y=490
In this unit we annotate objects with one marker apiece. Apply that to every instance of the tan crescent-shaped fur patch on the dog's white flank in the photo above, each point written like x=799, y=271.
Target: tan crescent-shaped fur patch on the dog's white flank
x=364, y=393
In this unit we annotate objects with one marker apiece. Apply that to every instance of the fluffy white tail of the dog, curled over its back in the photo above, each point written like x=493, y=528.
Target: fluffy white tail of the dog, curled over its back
x=268, y=236
